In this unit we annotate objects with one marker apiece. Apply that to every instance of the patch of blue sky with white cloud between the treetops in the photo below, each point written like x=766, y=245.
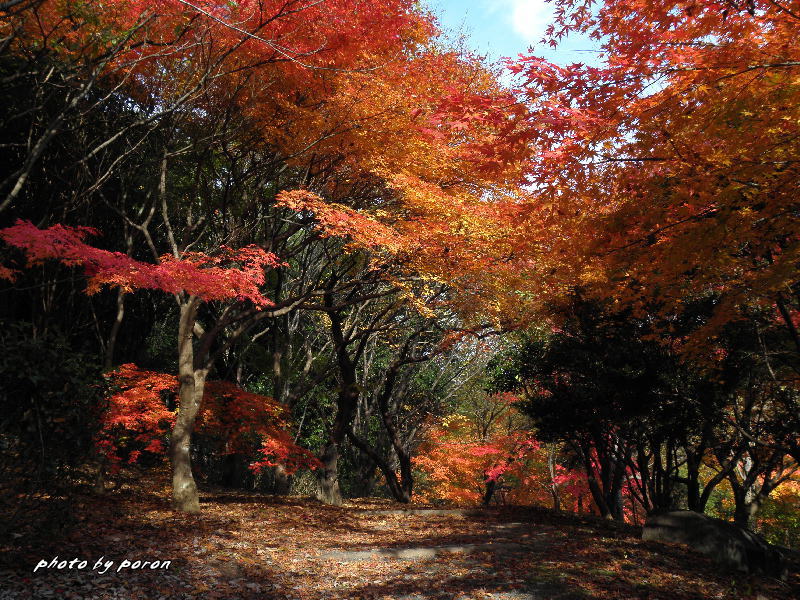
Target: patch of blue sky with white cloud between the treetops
x=507, y=27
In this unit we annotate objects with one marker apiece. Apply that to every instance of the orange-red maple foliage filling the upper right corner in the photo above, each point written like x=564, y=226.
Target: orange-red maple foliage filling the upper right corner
x=668, y=171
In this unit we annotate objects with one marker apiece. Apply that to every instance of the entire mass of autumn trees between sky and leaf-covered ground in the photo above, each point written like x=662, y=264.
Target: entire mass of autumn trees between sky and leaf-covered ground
x=319, y=247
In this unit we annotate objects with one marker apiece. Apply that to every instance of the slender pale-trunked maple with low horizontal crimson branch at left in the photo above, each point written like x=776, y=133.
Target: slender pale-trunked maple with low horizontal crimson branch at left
x=193, y=279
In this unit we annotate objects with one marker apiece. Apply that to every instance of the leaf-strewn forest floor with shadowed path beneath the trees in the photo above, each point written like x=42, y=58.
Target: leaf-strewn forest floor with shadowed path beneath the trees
x=249, y=546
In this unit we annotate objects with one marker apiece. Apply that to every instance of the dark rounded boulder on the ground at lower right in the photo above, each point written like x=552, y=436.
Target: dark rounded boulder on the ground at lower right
x=727, y=544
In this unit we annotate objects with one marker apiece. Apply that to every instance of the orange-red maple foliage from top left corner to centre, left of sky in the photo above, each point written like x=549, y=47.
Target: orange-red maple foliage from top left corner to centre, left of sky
x=364, y=86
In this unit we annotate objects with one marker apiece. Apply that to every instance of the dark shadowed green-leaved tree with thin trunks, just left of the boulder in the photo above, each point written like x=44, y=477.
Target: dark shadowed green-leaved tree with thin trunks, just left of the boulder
x=596, y=384
